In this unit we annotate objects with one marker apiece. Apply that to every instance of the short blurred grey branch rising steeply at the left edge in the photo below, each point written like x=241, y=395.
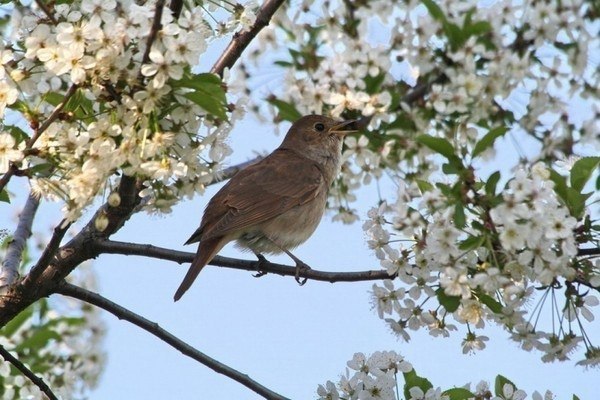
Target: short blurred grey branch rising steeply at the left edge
x=10, y=266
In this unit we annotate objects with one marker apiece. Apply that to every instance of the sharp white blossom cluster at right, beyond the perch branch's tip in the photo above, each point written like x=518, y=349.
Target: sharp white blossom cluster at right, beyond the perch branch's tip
x=471, y=275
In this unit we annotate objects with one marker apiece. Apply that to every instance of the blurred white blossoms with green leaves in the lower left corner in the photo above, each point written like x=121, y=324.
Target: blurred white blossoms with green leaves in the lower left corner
x=62, y=342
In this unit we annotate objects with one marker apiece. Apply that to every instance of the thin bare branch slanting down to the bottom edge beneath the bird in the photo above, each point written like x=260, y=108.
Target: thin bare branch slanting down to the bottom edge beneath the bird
x=153, y=328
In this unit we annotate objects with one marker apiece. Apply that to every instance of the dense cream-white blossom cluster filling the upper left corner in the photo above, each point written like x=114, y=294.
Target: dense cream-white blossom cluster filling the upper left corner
x=131, y=104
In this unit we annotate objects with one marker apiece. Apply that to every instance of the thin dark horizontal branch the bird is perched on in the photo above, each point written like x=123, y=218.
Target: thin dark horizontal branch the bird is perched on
x=146, y=250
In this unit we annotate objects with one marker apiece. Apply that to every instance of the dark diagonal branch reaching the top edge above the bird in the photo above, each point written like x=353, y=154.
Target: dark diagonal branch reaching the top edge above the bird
x=241, y=40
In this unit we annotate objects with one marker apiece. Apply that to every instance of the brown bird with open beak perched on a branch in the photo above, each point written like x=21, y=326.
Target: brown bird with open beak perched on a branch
x=276, y=204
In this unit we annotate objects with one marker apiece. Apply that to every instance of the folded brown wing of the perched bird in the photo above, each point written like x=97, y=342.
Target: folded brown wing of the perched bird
x=260, y=192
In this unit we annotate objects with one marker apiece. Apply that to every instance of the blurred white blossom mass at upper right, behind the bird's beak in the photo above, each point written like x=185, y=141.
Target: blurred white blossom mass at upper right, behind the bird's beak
x=435, y=68
